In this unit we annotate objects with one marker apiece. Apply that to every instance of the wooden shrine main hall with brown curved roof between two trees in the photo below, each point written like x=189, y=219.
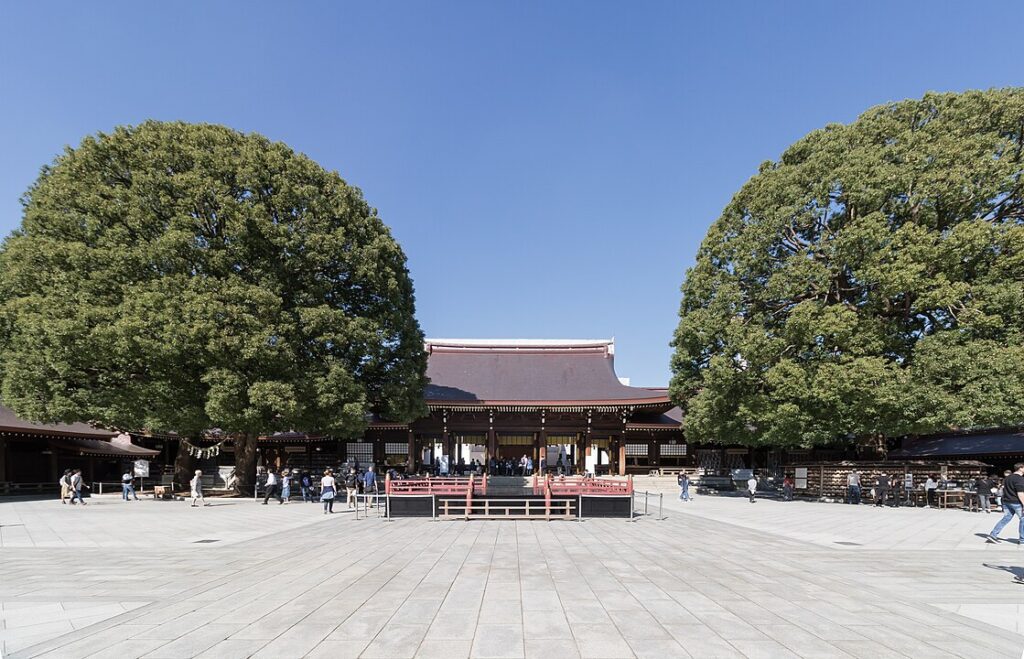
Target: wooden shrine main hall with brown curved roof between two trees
x=559, y=403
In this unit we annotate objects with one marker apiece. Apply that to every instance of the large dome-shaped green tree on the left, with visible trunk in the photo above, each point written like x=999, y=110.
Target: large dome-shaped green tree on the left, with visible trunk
x=187, y=278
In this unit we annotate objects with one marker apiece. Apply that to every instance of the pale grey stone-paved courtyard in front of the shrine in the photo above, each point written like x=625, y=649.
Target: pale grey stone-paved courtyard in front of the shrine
x=716, y=579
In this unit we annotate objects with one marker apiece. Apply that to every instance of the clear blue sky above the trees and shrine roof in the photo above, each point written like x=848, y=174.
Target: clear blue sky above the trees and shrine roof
x=550, y=168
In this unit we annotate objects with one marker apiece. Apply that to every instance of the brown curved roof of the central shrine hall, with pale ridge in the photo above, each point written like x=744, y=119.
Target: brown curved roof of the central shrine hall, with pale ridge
x=539, y=373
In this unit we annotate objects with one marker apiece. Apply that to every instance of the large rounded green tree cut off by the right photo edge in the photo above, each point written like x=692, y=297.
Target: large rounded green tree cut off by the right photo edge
x=867, y=285
